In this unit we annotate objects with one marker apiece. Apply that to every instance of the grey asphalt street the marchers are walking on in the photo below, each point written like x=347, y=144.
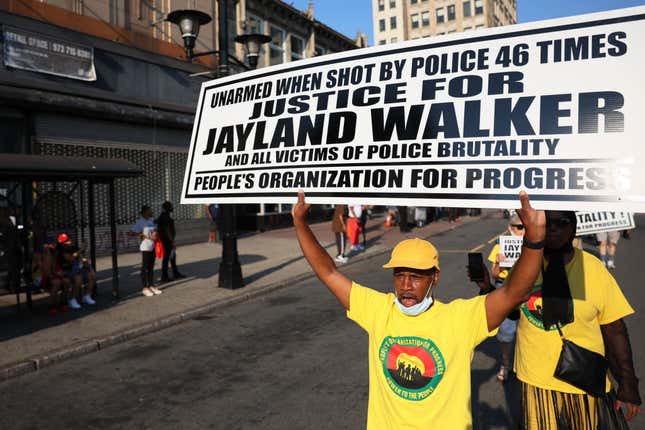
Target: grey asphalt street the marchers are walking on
x=288, y=360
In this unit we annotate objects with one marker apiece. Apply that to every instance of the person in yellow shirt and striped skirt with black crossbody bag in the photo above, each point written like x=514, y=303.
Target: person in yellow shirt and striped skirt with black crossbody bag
x=575, y=298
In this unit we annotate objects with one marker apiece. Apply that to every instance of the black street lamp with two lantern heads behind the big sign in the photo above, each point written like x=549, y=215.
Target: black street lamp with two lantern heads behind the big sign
x=189, y=21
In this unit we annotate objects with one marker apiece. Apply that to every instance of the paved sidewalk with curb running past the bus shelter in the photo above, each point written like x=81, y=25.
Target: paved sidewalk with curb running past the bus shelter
x=269, y=260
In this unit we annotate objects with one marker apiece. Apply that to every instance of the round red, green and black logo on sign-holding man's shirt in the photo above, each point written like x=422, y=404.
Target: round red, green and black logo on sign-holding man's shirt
x=413, y=366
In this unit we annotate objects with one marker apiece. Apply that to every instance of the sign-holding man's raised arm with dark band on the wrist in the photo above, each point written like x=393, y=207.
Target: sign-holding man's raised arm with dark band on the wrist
x=502, y=301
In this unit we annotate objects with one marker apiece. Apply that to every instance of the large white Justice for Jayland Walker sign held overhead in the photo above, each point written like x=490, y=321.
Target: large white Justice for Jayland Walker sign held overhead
x=555, y=108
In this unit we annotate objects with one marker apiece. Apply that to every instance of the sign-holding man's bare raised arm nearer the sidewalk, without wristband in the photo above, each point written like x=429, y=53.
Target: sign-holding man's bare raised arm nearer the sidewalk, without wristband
x=316, y=255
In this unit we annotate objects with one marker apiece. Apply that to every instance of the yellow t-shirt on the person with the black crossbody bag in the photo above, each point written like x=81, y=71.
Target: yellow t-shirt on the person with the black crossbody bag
x=597, y=300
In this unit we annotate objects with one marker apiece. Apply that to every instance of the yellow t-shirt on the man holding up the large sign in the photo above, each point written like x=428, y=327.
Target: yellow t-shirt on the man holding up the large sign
x=419, y=366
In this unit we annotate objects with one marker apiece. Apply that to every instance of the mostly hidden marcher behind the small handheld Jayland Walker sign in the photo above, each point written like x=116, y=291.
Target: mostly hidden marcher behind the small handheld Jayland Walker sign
x=506, y=333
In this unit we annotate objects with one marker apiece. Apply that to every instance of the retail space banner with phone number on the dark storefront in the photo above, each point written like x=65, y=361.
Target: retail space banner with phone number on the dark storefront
x=38, y=53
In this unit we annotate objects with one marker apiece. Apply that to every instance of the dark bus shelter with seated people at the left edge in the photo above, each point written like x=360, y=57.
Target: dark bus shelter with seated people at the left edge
x=36, y=204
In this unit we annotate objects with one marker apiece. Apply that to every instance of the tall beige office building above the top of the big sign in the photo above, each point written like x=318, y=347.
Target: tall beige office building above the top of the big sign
x=398, y=20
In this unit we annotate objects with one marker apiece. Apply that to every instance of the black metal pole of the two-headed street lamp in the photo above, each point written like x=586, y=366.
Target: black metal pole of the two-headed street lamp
x=230, y=271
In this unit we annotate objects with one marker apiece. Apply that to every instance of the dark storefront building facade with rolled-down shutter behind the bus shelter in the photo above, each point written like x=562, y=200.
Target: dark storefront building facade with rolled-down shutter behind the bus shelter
x=109, y=78
